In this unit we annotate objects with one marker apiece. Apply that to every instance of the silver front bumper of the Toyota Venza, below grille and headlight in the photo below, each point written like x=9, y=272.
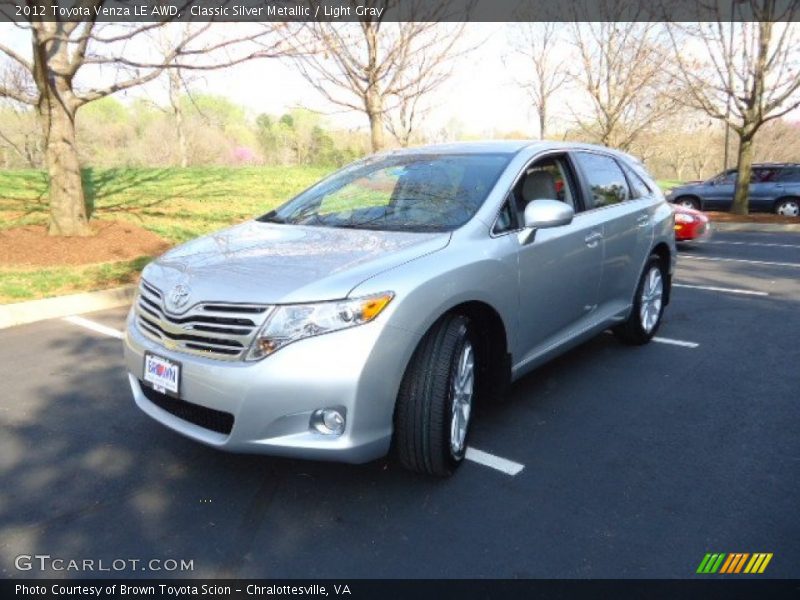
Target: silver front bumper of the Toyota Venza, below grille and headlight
x=356, y=370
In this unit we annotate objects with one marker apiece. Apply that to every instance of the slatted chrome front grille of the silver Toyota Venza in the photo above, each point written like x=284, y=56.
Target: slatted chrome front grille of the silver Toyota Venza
x=212, y=329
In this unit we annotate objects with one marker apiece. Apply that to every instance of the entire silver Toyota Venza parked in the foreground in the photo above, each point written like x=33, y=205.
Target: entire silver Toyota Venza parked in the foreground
x=375, y=308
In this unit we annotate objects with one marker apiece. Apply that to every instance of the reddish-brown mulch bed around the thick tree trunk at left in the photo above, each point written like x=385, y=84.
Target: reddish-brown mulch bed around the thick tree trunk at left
x=113, y=241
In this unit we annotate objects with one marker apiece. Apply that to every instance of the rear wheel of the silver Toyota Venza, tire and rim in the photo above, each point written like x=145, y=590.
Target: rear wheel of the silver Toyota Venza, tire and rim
x=642, y=325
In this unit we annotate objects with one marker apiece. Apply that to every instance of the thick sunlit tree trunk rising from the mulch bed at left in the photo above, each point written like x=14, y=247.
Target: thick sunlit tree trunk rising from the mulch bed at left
x=67, y=203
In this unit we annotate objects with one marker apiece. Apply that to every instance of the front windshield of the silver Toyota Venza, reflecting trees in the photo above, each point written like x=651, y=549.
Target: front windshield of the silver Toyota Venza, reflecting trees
x=398, y=193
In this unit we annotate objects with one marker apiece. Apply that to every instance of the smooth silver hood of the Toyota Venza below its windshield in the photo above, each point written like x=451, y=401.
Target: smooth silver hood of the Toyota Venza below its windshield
x=268, y=263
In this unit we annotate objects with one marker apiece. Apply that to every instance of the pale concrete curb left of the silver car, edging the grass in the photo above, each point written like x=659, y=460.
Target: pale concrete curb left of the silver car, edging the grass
x=20, y=313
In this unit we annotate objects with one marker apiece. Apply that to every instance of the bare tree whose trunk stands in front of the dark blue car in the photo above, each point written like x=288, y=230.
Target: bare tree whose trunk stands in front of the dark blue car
x=744, y=74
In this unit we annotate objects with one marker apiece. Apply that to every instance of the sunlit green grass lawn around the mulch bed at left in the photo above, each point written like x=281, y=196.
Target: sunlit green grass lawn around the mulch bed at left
x=177, y=204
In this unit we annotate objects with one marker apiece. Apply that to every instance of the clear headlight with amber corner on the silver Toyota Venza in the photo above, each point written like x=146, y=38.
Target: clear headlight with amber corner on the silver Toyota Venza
x=292, y=322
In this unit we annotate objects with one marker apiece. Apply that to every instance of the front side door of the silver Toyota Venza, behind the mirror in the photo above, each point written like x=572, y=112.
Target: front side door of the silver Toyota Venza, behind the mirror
x=559, y=270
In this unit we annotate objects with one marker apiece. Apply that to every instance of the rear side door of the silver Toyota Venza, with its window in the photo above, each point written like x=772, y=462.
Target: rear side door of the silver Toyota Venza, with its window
x=626, y=213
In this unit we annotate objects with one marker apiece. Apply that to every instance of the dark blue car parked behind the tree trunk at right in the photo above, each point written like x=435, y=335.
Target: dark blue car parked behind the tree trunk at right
x=774, y=187
